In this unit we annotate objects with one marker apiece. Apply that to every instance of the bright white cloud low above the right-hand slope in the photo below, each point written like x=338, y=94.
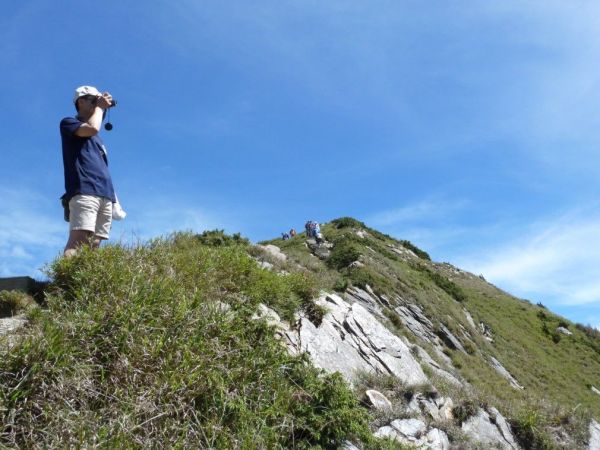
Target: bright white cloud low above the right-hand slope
x=556, y=259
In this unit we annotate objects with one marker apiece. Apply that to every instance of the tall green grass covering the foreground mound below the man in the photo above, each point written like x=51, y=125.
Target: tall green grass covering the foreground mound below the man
x=154, y=346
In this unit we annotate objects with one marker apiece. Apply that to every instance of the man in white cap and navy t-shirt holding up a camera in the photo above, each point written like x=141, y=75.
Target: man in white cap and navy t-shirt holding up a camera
x=88, y=185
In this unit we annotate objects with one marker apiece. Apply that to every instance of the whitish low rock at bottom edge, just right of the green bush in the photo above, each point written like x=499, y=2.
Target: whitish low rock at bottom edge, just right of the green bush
x=414, y=432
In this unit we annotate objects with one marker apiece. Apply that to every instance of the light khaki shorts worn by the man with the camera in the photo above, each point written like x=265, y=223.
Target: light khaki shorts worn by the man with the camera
x=91, y=213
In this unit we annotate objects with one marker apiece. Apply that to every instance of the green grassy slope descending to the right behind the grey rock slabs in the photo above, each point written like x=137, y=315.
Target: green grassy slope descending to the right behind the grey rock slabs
x=556, y=370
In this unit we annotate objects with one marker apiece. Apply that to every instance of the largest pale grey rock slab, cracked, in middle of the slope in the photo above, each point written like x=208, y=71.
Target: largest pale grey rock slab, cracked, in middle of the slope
x=350, y=340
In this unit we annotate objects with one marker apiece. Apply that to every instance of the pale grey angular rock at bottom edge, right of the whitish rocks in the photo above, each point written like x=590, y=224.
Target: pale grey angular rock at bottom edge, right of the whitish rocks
x=490, y=429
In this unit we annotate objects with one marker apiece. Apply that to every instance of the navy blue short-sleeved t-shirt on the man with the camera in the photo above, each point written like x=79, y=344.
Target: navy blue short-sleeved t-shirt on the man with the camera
x=85, y=162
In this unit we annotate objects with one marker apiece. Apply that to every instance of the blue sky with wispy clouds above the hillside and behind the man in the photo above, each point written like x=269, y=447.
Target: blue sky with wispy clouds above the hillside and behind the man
x=469, y=128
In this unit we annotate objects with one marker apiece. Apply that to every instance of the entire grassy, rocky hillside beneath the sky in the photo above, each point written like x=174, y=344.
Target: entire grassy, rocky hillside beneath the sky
x=161, y=345
